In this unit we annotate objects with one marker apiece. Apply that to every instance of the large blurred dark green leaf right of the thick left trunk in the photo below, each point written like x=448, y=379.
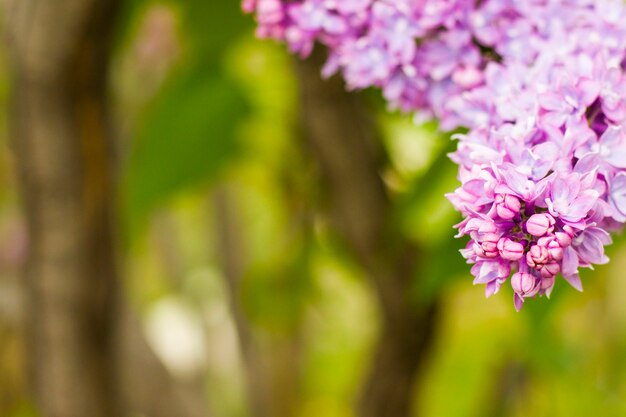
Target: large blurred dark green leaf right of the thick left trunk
x=186, y=138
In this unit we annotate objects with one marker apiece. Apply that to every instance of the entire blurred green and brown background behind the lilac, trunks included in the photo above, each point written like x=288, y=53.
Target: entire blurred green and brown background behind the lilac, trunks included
x=276, y=247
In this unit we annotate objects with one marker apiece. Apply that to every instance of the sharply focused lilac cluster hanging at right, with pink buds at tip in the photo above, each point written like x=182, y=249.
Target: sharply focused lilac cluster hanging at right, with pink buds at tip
x=544, y=180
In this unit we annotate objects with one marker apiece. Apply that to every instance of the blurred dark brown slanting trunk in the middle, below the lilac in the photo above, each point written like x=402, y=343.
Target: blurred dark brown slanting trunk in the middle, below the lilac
x=344, y=140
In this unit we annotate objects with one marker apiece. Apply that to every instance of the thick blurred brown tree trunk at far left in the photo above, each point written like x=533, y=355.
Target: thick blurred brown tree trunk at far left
x=61, y=139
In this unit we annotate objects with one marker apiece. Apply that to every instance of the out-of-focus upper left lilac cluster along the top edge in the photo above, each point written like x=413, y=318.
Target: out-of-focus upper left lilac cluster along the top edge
x=418, y=52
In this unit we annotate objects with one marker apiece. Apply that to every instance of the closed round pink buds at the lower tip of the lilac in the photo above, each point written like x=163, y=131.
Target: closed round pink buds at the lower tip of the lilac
x=521, y=238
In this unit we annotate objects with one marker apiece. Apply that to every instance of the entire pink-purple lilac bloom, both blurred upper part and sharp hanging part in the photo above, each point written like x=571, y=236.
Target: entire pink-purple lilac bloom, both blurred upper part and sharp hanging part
x=541, y=85
